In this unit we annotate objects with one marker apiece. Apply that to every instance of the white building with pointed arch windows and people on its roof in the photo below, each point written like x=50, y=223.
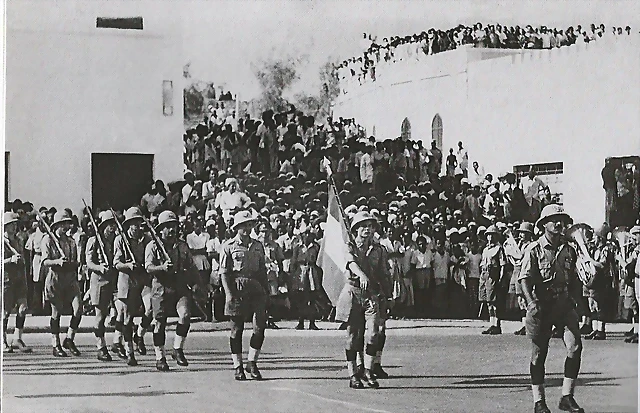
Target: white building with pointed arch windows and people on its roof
x=564, y=110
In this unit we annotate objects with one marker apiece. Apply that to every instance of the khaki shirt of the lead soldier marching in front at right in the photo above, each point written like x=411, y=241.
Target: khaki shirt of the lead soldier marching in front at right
x=555, y=268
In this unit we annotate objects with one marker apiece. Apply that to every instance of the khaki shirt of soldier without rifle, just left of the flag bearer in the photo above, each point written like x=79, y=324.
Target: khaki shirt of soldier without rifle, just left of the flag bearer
x=241, y=260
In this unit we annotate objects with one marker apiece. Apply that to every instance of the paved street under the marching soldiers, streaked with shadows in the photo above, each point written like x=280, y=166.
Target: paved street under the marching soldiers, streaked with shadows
x=436, y=366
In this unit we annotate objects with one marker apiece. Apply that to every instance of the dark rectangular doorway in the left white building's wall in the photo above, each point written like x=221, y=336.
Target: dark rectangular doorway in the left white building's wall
x=119, y=179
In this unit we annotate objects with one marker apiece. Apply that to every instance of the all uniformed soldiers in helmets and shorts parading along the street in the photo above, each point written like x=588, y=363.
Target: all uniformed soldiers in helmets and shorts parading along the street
x=568, y=271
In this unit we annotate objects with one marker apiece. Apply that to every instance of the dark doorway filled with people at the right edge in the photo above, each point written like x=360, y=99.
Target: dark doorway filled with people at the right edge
x=621, y=181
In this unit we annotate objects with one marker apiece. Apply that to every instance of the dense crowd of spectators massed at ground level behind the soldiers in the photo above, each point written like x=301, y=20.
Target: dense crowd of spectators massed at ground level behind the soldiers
x=433, y=210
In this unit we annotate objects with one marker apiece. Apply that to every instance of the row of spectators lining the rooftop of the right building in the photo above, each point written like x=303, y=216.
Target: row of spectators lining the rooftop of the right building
x=397, y=48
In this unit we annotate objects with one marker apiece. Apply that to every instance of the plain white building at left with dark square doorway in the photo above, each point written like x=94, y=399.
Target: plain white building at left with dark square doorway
x=93, y=112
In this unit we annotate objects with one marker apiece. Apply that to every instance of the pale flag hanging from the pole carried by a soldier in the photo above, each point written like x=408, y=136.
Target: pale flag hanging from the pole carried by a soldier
x=332, y=257
